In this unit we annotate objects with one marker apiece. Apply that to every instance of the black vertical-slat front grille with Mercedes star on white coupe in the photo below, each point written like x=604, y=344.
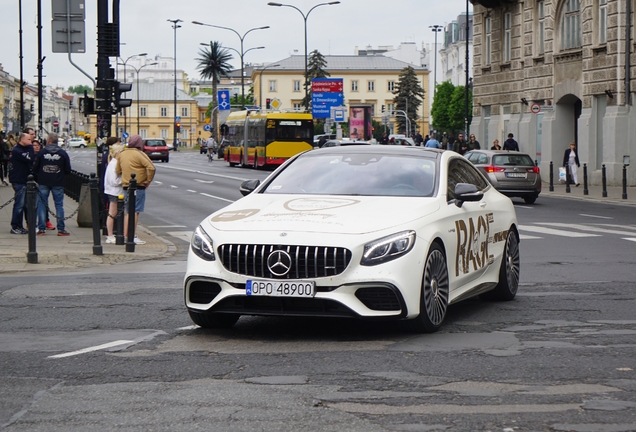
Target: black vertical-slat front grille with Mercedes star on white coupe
x=306, y=261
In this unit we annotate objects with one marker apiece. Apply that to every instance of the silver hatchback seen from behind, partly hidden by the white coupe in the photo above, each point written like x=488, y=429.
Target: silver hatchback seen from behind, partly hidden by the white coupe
x=512, y=173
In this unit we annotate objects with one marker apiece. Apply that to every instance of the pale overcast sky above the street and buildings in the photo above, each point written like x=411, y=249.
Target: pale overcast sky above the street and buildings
x=335, y=30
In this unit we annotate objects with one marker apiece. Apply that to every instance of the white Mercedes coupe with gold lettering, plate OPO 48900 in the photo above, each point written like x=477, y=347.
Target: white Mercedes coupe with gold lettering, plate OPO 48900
x=368, y=232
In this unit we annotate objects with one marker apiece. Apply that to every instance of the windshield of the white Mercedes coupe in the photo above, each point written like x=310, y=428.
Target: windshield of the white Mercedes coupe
x=367, y=174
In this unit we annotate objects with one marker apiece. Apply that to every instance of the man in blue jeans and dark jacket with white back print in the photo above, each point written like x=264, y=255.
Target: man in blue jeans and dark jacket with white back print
x=50, y=168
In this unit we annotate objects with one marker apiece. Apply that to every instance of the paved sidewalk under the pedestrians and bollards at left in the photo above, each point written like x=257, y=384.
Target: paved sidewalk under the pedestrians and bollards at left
x=74, y=251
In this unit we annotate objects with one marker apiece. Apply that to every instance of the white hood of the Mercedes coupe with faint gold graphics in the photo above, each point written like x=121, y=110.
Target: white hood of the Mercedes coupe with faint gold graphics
x=320, y=213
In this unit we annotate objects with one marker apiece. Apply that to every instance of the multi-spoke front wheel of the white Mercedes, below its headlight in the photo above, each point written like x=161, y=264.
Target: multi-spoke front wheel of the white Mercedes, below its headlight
x=435, y=293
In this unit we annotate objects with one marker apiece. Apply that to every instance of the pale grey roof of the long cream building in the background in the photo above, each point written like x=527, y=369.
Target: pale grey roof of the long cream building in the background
x=346, y=62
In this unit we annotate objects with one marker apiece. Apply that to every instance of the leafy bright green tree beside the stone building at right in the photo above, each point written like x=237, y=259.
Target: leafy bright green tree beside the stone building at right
x=449, y=108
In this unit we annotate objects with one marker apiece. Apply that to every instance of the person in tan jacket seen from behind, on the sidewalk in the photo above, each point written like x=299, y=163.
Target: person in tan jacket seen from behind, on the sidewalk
x=134, y=160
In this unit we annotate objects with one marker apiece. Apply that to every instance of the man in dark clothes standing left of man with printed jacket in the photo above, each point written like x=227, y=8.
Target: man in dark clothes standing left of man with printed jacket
x=20, y=164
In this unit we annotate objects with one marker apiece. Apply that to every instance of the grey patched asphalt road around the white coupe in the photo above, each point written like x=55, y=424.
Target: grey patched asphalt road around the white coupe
x=116, y=350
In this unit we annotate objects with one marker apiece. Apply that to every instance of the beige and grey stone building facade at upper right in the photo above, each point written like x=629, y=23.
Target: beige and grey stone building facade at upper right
x=553, y=72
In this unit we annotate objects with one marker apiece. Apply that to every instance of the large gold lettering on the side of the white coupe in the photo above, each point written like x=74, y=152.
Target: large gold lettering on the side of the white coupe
x=472, y=244
